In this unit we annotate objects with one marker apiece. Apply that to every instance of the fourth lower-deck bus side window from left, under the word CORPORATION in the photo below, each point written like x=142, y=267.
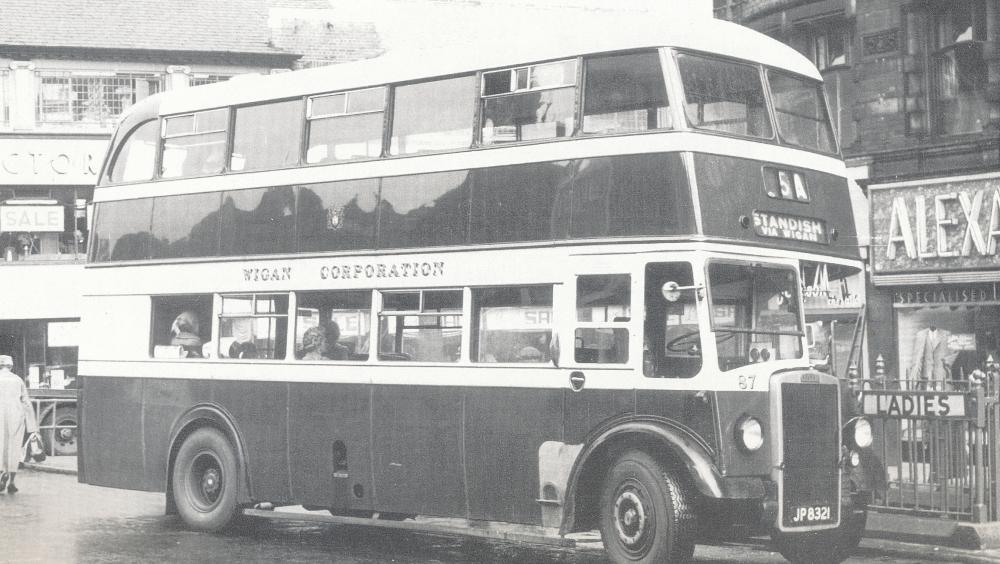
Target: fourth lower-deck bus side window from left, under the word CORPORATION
x=421, y=325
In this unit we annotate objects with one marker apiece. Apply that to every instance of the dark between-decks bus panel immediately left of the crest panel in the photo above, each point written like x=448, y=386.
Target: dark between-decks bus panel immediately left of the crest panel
x=258, y=221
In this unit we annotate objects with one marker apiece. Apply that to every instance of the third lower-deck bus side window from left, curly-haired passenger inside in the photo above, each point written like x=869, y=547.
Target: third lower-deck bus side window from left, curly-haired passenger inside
x=333, y=325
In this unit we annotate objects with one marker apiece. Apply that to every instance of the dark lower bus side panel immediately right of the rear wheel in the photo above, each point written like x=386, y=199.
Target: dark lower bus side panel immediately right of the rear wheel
x=260, y=412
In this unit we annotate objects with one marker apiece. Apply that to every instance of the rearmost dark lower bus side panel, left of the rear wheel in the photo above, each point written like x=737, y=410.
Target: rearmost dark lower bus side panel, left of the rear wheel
x=113, y=411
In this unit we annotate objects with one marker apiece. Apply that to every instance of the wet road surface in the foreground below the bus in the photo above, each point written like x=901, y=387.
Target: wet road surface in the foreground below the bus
x=55, y=519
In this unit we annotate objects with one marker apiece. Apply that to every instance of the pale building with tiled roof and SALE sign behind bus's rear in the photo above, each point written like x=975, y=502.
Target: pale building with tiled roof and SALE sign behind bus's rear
x=67, y=72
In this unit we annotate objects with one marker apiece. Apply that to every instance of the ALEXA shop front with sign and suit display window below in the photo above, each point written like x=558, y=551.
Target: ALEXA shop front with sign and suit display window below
x=936, y=273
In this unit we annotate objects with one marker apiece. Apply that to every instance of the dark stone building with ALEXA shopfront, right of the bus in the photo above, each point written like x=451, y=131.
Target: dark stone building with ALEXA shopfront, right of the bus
x=914, y=88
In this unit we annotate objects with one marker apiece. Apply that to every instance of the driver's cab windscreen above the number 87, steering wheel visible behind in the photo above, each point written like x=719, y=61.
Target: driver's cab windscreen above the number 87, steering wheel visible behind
x=755, y=313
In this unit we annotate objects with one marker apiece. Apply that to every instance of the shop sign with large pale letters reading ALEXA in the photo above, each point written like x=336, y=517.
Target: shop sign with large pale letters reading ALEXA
x=950, y=225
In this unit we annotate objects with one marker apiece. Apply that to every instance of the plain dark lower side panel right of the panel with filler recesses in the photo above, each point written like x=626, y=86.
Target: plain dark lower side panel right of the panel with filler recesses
x=417, y=438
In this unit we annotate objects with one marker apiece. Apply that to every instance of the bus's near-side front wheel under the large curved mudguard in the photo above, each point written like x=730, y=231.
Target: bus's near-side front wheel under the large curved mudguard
x=645, y=513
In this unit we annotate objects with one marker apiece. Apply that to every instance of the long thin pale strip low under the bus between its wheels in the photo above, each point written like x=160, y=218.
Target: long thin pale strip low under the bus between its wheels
x=440, y=526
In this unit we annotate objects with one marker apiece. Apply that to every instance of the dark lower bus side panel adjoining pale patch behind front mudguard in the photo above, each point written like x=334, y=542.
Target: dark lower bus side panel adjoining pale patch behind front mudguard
x=504, y=429
